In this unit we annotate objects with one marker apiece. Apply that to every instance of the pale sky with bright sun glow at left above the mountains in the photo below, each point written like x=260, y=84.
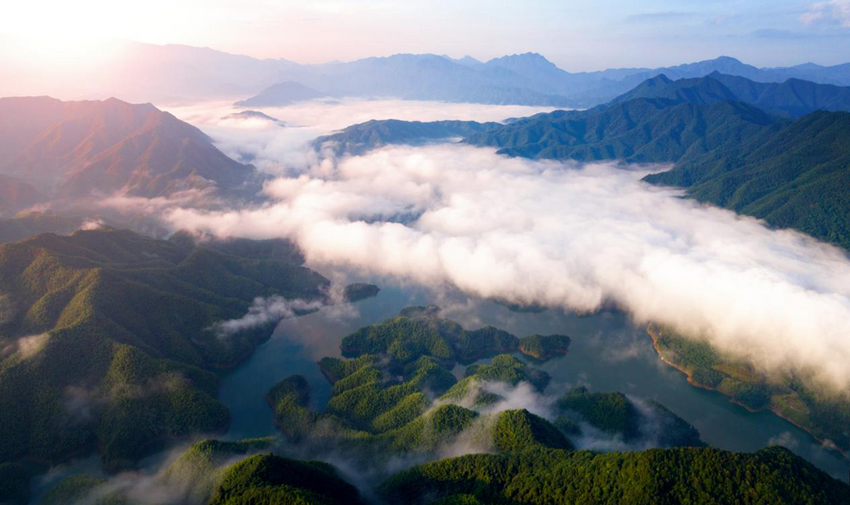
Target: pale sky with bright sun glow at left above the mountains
x=576, y=35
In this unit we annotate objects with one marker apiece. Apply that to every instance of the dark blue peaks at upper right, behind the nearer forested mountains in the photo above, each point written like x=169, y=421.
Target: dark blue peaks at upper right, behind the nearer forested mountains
x=792, y=98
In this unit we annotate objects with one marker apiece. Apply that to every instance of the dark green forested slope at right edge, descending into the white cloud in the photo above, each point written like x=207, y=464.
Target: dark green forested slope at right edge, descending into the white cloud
x=796, y=177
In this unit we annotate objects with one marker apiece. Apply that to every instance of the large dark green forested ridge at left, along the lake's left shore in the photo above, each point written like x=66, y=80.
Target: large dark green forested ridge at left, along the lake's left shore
x=105, y=340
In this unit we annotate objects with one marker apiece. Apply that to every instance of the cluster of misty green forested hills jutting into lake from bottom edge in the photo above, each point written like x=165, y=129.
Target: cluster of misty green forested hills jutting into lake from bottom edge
x=400, y=404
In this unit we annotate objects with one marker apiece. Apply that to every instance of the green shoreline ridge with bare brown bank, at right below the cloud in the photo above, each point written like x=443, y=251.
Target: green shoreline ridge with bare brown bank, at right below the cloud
x=824, y=414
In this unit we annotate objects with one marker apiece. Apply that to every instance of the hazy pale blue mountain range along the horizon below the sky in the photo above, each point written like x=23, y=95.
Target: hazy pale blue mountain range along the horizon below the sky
x=145, y=72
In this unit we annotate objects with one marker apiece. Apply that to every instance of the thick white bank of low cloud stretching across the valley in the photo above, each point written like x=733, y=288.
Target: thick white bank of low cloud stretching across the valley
x=580, y=237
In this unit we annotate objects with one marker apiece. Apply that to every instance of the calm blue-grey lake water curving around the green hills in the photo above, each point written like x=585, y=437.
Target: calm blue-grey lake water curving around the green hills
x=607, y=353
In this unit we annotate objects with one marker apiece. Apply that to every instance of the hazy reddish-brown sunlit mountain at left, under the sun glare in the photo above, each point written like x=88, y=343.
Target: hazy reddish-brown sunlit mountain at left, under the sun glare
x=74, y=149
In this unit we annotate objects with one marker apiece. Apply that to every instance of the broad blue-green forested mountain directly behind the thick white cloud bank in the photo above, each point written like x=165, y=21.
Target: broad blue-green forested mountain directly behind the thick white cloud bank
x=641, y=130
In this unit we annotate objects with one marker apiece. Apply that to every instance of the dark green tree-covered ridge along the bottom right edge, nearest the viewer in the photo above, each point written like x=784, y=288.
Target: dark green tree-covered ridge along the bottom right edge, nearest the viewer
x=680, y=475
